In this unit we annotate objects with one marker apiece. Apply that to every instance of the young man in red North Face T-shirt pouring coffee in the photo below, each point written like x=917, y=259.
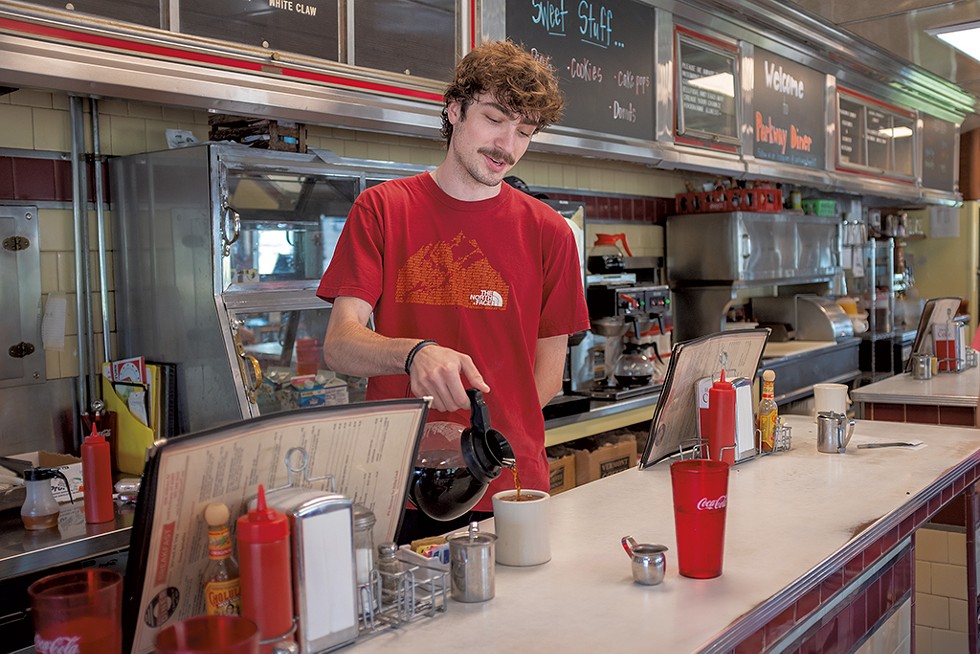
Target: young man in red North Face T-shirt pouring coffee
x=472, y=283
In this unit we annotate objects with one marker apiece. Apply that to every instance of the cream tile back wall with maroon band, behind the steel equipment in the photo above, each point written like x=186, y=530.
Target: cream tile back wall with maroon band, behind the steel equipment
x=38, y=120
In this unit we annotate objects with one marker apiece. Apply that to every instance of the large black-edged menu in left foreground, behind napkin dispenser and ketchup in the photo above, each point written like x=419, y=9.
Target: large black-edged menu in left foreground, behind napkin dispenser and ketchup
x=369, y=448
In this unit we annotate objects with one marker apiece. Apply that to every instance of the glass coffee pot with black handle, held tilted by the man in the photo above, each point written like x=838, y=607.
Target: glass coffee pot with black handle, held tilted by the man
x=455, y=464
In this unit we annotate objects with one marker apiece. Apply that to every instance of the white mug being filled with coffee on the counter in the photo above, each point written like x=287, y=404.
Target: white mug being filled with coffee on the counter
x=522, y=528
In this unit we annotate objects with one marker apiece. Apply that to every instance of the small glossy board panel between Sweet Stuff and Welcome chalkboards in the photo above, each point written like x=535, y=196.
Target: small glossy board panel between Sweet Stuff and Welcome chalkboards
x=707, y=77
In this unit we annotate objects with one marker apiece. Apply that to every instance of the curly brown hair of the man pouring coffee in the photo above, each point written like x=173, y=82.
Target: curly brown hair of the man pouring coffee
x=518, y=80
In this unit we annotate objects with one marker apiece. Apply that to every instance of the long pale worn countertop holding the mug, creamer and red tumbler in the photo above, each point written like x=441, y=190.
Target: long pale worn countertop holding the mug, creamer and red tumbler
x=792, y=518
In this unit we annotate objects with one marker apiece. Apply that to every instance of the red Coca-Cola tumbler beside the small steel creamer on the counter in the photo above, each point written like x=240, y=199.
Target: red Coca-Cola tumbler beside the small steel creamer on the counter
x=700, y=489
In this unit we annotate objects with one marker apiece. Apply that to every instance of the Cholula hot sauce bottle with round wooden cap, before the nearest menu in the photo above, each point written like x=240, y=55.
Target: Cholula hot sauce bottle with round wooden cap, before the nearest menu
x=222, y=586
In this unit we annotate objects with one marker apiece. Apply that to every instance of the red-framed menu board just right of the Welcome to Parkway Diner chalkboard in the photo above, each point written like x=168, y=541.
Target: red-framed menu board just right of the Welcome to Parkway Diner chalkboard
x=872, y=116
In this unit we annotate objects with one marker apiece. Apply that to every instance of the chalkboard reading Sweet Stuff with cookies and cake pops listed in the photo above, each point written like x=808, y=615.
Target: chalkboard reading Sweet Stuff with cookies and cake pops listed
x=603, y=53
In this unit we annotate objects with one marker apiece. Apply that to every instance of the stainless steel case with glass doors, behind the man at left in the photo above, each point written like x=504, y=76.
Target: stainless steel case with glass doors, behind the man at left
x=218, y=252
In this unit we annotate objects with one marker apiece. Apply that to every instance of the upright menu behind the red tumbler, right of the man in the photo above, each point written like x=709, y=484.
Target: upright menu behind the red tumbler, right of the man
x=675, y=419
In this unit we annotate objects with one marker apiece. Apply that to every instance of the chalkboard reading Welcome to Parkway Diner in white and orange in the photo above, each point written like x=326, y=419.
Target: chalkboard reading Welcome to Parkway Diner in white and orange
x=788, y=125
